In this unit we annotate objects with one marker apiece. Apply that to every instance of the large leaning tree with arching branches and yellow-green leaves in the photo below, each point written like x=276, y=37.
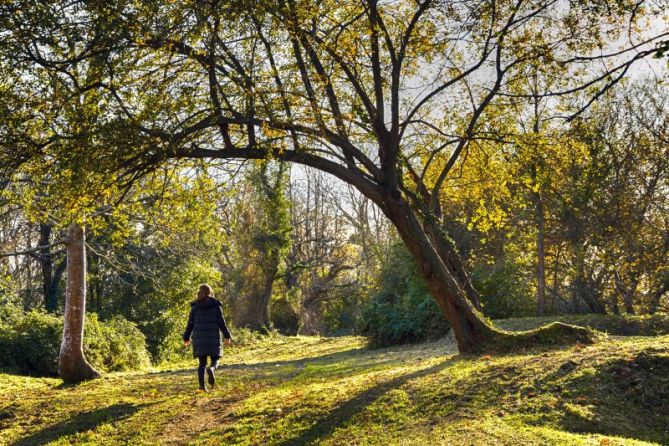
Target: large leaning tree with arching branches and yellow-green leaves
x=388, y=96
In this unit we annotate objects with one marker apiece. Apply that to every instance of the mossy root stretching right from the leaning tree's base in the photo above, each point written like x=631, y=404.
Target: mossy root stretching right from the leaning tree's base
x=555, y=334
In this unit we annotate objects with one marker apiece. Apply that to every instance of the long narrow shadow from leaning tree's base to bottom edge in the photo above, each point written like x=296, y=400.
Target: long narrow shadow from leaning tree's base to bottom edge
x=327, y=424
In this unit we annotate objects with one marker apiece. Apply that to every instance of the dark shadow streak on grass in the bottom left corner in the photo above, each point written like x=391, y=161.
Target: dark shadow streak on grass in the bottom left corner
x=79, y=423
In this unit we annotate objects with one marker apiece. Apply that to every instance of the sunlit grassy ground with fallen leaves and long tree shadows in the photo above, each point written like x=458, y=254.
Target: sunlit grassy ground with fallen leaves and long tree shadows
x=337, y=391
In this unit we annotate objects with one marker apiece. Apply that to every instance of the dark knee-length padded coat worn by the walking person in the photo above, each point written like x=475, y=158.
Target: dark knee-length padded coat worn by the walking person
x=205, y=324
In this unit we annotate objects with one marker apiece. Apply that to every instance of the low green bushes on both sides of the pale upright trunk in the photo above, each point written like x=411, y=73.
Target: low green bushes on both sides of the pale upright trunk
x=30, y=343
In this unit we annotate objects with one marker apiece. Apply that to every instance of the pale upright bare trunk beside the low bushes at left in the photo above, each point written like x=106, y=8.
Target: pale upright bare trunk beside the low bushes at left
x=72, y=365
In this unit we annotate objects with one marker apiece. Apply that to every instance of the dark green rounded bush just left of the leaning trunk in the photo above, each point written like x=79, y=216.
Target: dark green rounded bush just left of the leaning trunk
x=403, y=310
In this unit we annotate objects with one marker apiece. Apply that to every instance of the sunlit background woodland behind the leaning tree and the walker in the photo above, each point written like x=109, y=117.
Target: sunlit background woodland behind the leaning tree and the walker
x=300, y=253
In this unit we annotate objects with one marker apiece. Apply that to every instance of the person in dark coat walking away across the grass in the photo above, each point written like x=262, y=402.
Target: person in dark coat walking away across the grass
x=205, y=324
